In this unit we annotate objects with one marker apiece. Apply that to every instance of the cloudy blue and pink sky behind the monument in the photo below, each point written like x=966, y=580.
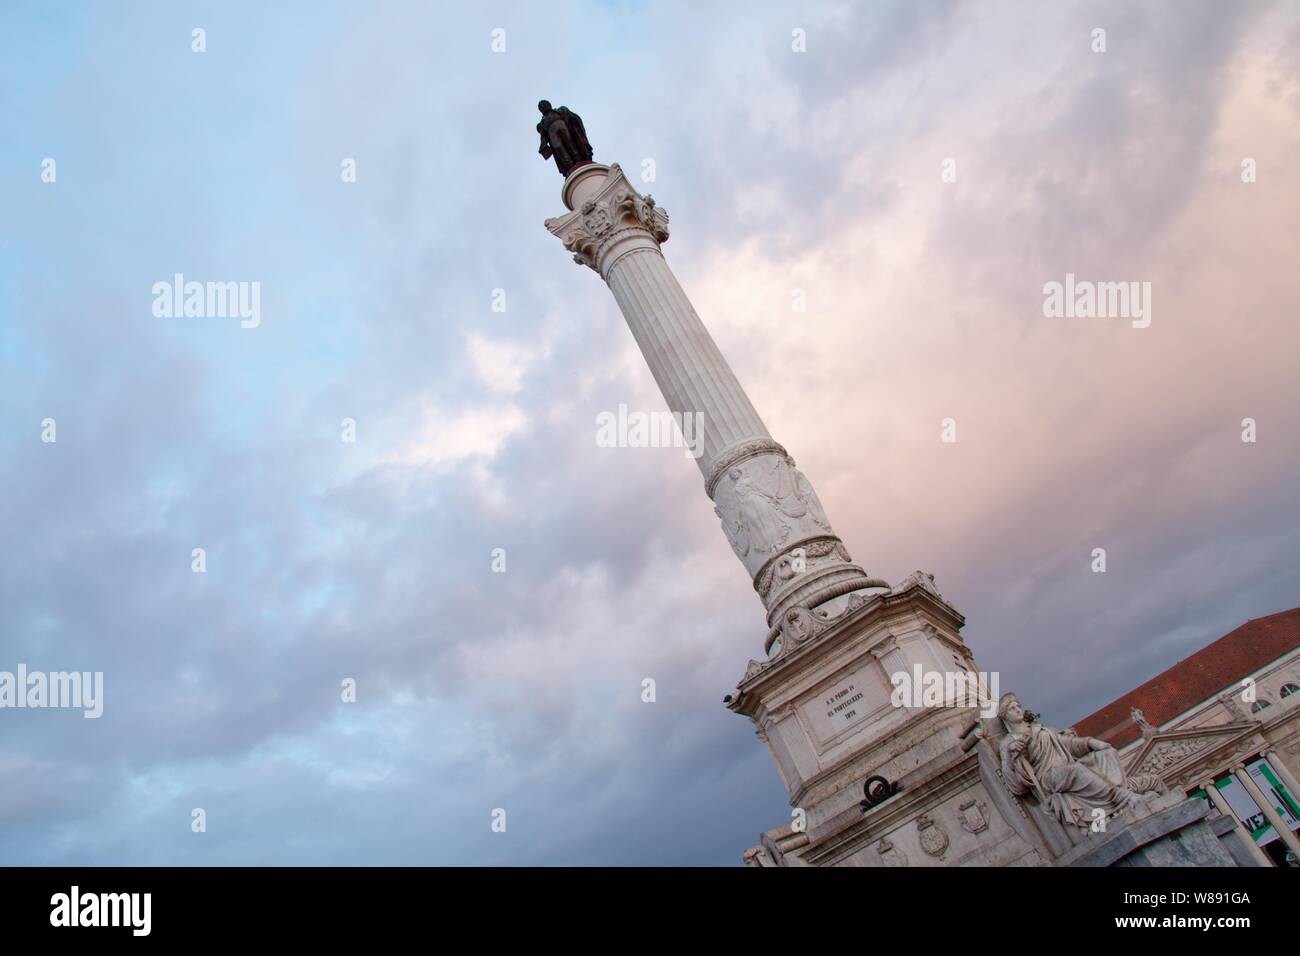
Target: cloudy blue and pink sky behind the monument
x=917, y=172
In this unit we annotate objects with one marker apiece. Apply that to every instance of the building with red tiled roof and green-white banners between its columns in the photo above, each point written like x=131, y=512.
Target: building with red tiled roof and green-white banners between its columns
x=1225, y=725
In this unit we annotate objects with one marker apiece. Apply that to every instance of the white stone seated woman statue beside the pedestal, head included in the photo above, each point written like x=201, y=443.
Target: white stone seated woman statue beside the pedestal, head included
x=1071, y=776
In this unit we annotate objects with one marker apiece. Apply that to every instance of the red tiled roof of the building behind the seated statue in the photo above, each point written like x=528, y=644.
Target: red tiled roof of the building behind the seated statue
x=1194, y=680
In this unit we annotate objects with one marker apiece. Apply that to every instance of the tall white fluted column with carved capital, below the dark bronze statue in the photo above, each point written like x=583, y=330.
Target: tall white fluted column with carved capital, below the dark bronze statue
x=768, y=509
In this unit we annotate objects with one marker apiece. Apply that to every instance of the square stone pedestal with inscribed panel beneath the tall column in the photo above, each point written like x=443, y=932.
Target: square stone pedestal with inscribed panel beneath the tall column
x=824, y=706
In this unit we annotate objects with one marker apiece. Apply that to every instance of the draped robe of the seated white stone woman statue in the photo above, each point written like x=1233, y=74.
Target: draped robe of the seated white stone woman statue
x=1076, y=778
